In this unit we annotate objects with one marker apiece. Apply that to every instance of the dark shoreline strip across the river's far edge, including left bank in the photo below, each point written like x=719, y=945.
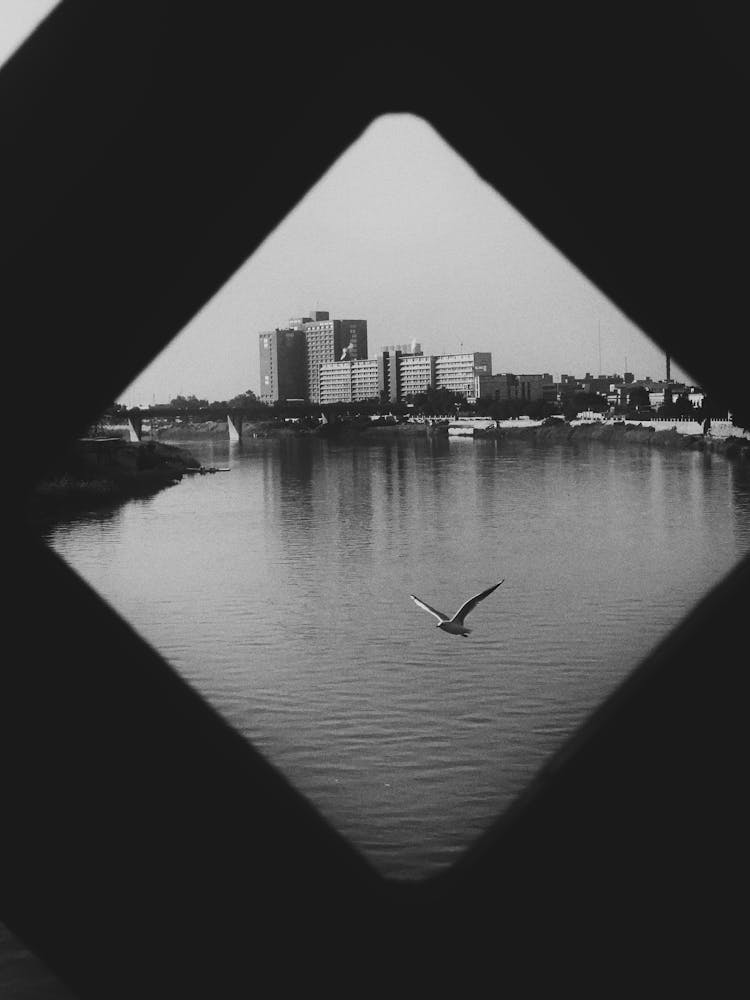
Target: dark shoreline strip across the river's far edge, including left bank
x=107, y=469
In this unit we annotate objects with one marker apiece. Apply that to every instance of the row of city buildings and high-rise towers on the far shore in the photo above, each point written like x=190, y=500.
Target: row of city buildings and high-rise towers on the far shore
x=321, y=360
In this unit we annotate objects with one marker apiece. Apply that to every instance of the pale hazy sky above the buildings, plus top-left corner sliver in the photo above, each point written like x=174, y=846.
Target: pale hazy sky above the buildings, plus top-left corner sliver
x=400, y=232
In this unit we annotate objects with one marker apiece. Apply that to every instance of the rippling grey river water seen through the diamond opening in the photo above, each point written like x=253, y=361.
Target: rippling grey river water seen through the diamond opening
x=280, y=591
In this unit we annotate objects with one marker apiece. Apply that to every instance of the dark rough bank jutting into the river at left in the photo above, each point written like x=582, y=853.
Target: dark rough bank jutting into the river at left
x=109, y=469
